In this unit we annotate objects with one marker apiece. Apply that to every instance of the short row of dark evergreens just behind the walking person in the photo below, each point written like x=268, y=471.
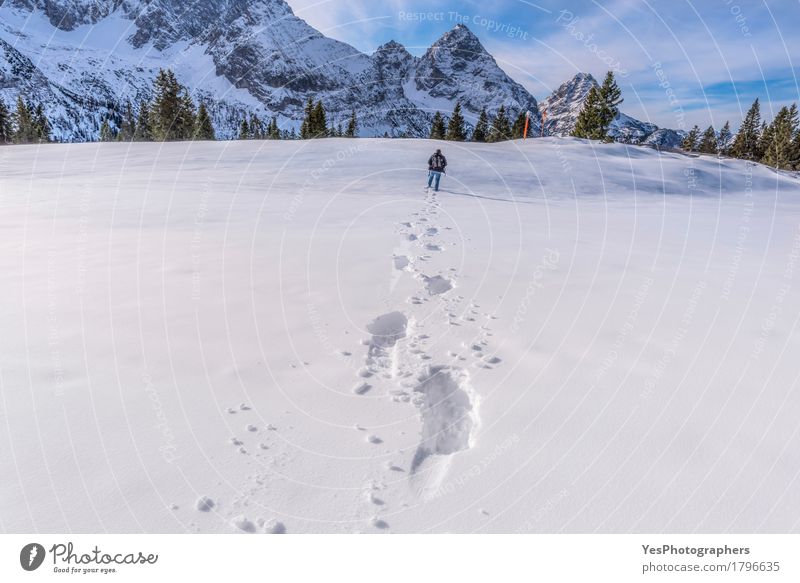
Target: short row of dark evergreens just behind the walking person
x=498, y=129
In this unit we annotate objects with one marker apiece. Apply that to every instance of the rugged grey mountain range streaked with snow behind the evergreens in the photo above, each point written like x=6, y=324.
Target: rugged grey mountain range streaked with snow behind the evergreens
x=83, y=59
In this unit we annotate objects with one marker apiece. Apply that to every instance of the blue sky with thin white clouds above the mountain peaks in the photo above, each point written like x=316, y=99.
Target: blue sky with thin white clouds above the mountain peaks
x=678, y=62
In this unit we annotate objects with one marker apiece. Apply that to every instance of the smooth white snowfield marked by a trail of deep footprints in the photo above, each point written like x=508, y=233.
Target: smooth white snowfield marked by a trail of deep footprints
x=294, y=336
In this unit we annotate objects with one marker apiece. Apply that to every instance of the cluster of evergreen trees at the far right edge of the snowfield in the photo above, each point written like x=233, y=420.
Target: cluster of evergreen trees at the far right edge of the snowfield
x=776, y=144
